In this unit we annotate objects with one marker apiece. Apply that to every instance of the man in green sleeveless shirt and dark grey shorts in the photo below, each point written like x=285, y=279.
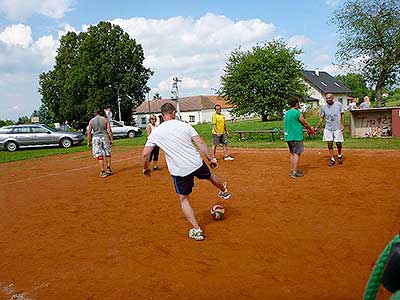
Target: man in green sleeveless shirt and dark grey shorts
x=294, y=123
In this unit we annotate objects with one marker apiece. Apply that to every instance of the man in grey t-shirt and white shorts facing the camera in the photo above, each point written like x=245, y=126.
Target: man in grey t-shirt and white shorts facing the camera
x=333, y=113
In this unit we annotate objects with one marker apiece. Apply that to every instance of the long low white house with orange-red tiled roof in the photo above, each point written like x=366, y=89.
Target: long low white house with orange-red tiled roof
x=194, y=110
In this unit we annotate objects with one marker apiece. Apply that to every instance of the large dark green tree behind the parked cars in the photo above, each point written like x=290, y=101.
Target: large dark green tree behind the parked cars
x=93, y=69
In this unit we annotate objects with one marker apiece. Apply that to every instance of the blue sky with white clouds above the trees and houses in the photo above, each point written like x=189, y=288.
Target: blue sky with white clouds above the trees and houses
x=189, y=39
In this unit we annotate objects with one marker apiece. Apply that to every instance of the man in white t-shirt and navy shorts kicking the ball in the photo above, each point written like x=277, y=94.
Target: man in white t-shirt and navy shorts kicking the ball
x=184, y=162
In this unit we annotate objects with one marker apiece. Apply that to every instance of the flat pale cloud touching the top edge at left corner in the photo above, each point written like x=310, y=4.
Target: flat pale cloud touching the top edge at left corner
x=21, y=9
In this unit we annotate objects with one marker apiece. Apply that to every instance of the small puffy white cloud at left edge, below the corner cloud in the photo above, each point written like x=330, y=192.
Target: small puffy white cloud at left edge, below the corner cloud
x=17, y=35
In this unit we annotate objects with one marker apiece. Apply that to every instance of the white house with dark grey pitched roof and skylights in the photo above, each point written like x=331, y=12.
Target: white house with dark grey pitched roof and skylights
x=319, y=84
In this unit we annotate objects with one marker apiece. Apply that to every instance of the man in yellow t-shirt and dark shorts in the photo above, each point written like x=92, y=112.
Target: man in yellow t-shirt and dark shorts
x=220, y=132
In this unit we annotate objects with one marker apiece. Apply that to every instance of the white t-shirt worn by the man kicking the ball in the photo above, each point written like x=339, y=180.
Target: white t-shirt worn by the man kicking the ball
x=175, y=139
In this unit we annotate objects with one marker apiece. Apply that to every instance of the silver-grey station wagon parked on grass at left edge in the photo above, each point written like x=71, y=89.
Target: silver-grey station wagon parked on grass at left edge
x=36, y=135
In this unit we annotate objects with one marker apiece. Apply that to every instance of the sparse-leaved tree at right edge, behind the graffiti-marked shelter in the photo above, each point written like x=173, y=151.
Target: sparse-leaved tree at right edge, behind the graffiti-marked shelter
x=369, y=40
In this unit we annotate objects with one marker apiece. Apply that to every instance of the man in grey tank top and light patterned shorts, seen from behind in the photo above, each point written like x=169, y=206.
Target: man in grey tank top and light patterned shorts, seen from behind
x=99, y=128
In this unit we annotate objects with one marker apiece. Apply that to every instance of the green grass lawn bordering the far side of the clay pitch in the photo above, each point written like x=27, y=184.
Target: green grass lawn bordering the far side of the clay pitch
x=250, y=141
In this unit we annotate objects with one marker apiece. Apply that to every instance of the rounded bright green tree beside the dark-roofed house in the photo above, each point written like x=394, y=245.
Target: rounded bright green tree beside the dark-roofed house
x=262, y=79
